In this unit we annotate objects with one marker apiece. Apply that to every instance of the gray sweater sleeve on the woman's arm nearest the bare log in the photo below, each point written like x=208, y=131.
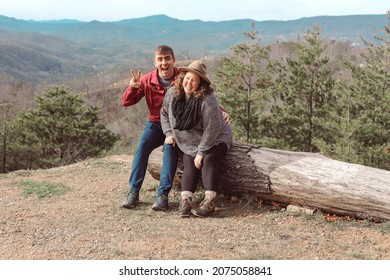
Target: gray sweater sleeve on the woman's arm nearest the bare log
x=212, y=124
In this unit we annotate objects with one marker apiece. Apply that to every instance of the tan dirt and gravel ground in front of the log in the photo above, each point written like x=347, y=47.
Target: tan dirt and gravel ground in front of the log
x=79, y=217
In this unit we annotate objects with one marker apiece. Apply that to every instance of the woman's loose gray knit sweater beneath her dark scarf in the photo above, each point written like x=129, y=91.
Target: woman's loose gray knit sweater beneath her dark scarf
x=211, y=130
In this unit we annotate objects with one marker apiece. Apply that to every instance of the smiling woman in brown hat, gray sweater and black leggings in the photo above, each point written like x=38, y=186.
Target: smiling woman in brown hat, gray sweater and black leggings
x=192, y=119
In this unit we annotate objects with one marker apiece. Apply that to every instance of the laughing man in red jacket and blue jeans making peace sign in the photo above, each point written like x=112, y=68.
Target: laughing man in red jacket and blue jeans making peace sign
x=153, y=87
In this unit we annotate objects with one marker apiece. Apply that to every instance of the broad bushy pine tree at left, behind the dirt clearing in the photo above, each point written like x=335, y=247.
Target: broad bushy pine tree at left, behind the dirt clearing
x=61, y=130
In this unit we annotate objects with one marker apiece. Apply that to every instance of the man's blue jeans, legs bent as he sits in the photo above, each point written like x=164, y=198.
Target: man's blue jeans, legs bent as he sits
x=152, y=138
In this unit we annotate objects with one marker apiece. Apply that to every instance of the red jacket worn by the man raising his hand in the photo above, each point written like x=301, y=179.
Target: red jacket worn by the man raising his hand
x=153, y=91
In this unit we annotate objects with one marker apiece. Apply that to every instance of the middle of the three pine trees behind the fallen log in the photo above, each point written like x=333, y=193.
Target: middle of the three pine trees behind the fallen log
x=300, y=121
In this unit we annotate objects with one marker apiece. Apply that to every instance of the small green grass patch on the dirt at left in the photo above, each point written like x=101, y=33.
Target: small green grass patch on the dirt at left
x=42, y=189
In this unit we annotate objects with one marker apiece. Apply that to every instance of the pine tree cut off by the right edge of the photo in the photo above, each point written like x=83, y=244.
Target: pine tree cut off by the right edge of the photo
x=367, y=104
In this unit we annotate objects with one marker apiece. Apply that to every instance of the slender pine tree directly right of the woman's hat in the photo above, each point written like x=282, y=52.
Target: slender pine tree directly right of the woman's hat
x=241, y=84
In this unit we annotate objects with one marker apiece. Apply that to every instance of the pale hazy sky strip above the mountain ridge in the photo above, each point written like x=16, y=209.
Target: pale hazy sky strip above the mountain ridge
x=207, y=10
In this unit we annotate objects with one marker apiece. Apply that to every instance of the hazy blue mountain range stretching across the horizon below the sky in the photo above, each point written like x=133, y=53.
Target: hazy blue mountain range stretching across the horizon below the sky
x=58, y=50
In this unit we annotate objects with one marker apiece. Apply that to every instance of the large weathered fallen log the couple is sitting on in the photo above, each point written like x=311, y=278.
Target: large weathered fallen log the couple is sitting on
x=304, y=179
